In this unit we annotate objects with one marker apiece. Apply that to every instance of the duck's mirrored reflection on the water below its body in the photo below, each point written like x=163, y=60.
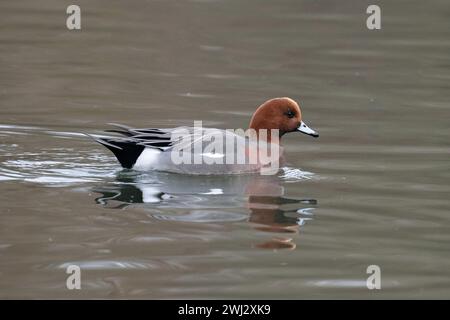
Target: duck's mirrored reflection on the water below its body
x=232, y=197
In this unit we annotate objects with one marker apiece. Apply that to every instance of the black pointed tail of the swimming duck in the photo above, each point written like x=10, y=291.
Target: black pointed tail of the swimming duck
x=126, y=150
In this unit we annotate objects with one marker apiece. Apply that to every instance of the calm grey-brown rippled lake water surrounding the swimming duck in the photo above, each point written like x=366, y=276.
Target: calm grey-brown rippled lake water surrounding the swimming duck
x=372, y=190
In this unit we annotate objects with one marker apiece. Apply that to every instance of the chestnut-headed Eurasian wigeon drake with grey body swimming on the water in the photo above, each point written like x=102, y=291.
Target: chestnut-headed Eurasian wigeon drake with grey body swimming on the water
x=165, y=149
